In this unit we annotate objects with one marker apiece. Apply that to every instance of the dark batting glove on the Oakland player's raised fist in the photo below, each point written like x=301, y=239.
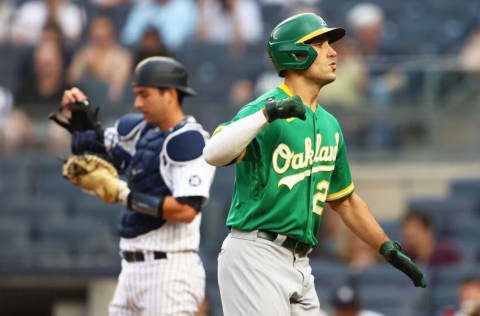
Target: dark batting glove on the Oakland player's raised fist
x=286, y=108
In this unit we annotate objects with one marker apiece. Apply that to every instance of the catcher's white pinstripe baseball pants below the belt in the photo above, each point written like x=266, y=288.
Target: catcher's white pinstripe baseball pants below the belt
x=172, y=286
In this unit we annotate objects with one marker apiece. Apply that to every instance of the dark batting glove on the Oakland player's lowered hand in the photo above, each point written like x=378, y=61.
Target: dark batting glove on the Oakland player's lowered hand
x=392, y=251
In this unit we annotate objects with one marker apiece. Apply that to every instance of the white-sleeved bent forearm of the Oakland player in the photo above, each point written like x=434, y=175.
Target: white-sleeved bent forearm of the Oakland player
x=229, y=143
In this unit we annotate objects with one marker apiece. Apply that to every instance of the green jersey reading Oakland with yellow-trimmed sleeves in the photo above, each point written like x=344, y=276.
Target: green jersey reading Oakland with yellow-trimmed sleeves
x=288, y=172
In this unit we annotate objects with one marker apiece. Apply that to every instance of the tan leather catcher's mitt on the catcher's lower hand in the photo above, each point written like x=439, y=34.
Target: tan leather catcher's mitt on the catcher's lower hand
x=97, y=176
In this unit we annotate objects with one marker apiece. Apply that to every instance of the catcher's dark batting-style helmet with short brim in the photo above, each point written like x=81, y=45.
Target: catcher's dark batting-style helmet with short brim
x=162, y=72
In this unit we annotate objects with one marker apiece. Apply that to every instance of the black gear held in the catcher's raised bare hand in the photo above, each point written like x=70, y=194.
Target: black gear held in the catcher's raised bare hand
x=78, y=117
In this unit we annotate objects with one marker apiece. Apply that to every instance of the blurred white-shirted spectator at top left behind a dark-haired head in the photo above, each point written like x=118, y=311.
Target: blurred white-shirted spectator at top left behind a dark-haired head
x=31, y=17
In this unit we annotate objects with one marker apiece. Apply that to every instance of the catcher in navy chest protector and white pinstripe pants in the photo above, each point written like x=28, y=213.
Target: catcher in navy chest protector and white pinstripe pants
x=160, y=153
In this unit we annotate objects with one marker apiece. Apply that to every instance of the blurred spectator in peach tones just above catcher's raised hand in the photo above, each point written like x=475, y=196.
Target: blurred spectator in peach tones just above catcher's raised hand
x=102, y=65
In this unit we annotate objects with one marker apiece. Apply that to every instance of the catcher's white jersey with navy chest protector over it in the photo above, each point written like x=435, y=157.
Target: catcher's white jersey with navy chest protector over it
x=160, y=163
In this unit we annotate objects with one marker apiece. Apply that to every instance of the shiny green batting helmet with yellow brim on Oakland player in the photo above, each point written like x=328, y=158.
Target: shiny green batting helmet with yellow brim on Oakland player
x=288, y=39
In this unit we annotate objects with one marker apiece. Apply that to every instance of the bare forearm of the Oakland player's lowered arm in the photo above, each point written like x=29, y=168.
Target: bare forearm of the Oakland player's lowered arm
x=360, y=220
